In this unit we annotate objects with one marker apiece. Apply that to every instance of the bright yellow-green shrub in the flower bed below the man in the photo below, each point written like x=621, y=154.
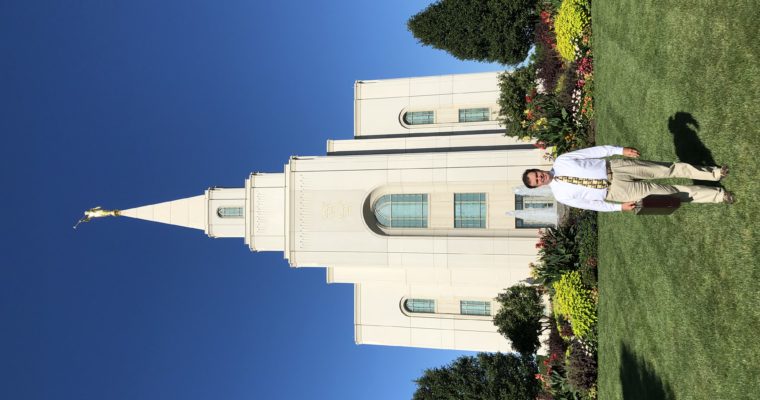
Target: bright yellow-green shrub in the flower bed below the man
x=576, y=303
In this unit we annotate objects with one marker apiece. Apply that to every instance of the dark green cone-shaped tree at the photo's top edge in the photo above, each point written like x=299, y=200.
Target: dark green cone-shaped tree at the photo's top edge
x=483, y=30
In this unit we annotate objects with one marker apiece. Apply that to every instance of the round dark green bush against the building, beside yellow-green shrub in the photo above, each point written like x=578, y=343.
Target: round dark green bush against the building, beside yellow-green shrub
x=521, y=318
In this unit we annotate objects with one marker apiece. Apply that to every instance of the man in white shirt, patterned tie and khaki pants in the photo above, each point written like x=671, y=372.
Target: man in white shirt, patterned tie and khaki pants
x=584, y=179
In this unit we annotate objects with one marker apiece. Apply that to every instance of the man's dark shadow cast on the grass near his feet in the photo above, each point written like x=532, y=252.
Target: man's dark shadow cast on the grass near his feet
x=689, y=149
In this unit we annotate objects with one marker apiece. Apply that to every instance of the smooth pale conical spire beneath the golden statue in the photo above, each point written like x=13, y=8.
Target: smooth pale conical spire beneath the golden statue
x=189, y=212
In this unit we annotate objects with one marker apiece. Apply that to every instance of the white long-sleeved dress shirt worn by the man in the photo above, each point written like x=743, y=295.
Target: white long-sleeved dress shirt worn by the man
x=584, y=163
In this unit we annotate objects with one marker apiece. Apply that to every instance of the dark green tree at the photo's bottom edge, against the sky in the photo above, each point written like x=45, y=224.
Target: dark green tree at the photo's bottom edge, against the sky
x=487, y=376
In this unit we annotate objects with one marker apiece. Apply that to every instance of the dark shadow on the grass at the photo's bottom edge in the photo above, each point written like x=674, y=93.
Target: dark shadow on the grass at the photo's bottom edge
x=639, y=380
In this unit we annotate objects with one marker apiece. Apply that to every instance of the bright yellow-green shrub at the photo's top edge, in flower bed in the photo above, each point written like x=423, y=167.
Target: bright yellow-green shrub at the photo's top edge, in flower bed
x=572, y=19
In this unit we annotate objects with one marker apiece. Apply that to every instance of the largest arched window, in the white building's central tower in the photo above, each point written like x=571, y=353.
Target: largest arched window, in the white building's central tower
x=402, y=210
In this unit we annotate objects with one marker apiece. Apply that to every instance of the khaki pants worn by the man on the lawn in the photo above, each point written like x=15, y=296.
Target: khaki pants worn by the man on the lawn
x=627, y=183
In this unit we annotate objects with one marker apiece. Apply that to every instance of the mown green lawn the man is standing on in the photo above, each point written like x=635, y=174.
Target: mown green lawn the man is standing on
x=680, y=295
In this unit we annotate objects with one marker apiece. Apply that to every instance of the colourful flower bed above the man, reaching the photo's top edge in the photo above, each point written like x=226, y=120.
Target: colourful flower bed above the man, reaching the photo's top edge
x=550, y=101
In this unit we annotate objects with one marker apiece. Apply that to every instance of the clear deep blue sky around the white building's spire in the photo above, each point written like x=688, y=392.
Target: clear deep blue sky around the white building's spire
x=125, y=103
